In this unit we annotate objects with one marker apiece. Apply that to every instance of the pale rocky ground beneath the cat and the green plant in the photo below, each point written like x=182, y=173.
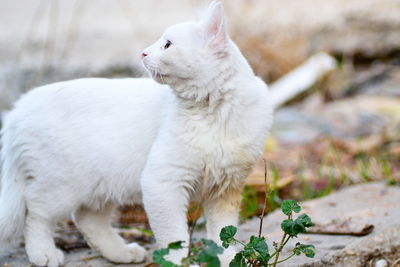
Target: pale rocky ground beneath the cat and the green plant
x=353, y=209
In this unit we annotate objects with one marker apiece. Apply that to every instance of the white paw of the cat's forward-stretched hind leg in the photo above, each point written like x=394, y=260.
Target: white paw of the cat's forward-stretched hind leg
x=131, y=253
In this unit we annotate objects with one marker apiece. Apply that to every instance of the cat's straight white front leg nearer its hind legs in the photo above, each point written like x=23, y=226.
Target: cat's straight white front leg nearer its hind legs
x=166, y=198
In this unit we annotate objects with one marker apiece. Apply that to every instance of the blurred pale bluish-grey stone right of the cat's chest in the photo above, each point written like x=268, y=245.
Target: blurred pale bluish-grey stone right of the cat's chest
x=346, y=118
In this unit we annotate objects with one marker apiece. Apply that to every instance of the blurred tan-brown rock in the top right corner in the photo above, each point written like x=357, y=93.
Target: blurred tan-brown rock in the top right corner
x=362, y=34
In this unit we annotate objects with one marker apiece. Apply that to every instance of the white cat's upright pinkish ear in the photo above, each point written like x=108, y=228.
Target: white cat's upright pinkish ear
x=214, y=24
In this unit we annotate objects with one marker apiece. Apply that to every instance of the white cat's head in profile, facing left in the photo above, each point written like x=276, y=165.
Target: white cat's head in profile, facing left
x=189, y=52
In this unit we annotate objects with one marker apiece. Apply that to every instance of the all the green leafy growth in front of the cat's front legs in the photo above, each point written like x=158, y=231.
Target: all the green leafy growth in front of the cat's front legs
x=255, y=252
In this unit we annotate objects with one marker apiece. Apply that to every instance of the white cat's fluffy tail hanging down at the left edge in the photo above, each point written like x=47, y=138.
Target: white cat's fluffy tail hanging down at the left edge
x=12, y=200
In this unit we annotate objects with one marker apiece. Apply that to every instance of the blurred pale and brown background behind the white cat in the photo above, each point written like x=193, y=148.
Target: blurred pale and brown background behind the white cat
x=341, y=128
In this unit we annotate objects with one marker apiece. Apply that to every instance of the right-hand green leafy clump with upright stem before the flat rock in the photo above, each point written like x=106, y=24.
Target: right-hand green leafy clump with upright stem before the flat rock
x=255, y=253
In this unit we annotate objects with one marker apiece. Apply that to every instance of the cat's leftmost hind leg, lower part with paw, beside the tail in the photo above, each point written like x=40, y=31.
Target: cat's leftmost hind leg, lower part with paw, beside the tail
x=39, y=242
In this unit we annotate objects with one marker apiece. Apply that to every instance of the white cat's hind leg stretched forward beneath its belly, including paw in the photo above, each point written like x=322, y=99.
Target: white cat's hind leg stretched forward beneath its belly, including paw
x=96, y=227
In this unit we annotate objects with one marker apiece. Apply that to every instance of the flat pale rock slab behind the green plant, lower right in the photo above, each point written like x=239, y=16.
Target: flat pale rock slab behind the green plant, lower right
x=373, y=203
